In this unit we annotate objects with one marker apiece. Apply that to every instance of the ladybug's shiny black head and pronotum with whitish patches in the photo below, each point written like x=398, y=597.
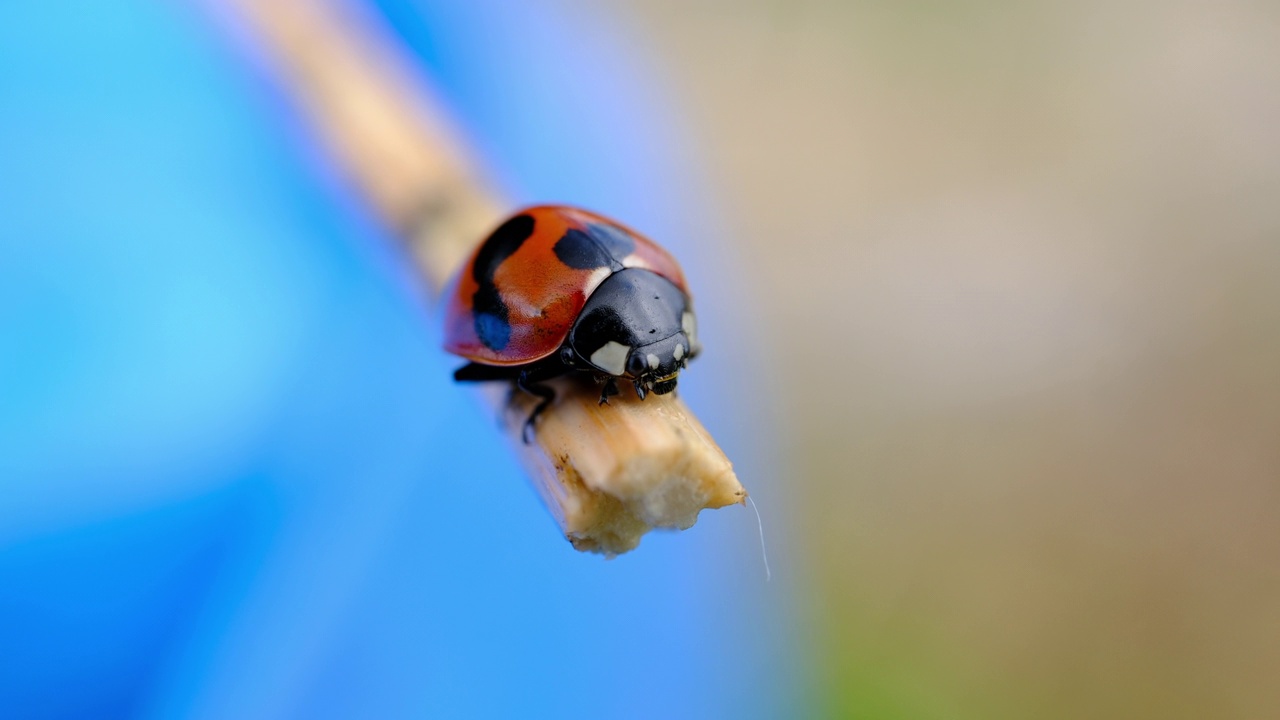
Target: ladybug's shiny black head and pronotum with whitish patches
x=637, y=326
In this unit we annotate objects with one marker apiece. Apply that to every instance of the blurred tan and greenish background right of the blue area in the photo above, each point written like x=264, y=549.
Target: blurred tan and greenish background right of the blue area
x=1023, y=272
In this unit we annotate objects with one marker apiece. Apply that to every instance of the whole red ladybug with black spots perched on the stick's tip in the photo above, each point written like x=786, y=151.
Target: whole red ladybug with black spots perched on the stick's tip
x=559, y=290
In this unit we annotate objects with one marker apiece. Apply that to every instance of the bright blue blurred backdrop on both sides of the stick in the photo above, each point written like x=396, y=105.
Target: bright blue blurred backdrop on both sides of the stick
x=235, y=477
